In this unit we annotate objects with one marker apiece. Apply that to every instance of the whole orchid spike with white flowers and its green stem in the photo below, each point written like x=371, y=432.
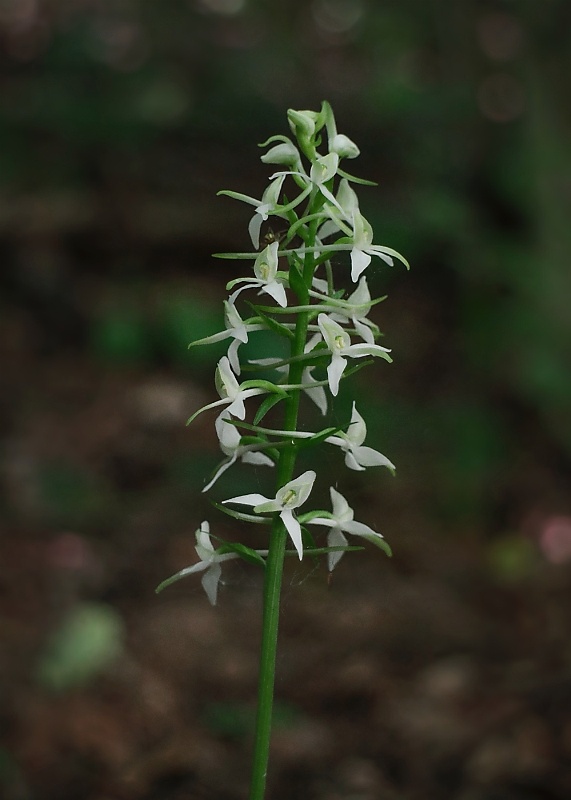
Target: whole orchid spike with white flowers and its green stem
x=297, y=276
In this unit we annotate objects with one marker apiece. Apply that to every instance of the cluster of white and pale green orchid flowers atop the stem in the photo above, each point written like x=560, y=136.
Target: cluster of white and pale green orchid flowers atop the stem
x=323, y=221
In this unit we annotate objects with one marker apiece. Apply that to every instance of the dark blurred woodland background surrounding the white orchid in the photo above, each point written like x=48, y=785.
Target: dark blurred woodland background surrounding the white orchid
x=442, y=673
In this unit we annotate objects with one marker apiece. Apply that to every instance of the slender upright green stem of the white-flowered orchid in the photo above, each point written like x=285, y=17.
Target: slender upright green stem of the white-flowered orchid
x=274, y=564
